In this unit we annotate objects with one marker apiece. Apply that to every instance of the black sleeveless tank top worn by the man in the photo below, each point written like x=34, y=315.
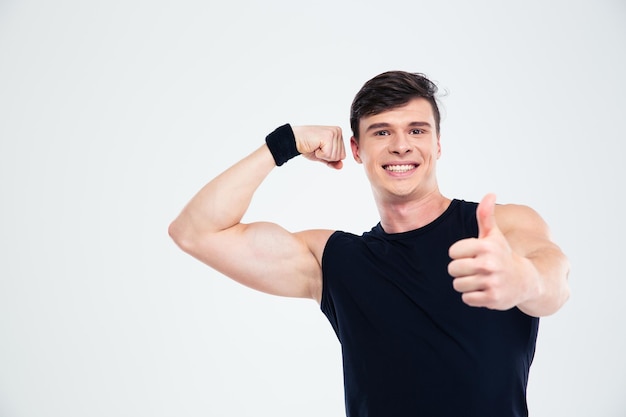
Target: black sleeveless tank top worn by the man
x=410, y=346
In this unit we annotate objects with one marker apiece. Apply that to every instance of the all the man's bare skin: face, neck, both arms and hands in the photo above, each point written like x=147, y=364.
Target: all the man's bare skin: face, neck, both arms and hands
x=512, y=263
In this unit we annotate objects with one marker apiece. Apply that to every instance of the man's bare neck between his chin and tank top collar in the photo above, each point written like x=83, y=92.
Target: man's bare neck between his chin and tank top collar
x=402, y=216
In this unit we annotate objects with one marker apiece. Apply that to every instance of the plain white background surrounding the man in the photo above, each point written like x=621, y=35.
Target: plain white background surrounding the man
x=113, y=114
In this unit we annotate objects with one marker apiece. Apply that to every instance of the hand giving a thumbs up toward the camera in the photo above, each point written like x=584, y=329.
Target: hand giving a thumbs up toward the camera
x=486, y=271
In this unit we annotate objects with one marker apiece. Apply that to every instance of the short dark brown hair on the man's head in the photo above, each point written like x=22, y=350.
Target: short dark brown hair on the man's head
x=390, y=90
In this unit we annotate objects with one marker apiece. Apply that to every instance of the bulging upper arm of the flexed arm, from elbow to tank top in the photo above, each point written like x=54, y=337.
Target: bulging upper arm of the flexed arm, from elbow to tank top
x=266, y=257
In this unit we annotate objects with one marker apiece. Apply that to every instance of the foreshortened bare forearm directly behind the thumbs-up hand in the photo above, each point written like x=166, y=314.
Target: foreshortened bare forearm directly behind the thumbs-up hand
x=548, y=271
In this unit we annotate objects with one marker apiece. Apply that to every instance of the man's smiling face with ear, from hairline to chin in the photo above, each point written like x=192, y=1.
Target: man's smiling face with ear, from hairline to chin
x=399, y=149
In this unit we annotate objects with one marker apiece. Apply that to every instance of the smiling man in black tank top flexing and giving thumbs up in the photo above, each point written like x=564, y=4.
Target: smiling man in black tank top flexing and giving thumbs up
x=437, y=307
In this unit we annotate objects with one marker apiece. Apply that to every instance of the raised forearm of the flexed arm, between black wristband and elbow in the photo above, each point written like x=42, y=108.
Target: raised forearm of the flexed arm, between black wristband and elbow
x=222, y=202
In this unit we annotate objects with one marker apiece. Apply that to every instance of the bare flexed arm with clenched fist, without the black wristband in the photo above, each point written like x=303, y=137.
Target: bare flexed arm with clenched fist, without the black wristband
x=263, y=256
